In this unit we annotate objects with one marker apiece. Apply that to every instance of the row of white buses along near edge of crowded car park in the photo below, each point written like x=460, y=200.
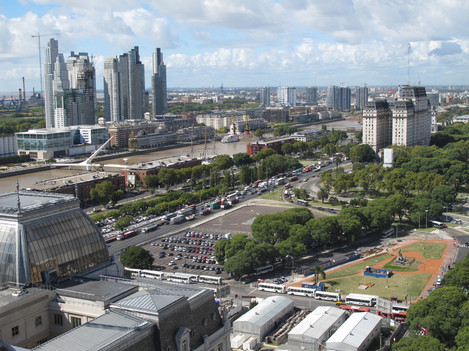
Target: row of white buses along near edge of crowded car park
x=184, y=278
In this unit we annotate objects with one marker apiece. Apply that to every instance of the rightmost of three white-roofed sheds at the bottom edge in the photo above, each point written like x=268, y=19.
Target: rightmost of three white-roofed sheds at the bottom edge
x=356, y=334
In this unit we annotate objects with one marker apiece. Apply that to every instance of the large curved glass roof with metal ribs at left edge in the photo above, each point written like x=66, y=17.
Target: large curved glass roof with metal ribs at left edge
x=46, y=238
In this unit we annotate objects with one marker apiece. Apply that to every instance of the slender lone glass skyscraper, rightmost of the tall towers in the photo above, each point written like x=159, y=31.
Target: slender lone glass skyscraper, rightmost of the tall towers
x=158, y=85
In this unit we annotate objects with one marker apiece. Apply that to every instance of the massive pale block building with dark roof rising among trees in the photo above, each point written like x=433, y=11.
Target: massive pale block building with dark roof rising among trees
x=404, y=121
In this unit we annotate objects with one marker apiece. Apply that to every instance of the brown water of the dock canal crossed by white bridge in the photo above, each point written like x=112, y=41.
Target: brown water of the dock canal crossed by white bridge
x=8, y=184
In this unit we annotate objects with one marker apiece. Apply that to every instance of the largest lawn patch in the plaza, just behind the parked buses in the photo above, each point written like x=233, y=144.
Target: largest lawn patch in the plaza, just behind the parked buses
x=398, y=285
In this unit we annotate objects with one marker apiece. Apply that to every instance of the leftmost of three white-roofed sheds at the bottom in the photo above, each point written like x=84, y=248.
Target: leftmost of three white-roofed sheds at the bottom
x=263, y=318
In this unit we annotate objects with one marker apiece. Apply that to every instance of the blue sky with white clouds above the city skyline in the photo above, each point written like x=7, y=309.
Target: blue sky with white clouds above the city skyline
x=247, y=43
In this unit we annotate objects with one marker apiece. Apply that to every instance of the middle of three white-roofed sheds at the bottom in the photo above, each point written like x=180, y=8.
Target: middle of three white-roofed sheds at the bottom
x=318, y=326
